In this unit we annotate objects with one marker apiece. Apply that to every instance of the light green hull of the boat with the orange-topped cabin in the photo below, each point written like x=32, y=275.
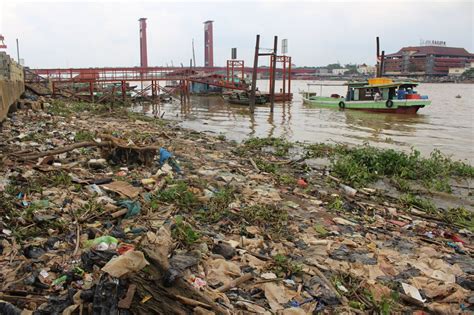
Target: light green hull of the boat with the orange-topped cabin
x=399, y=106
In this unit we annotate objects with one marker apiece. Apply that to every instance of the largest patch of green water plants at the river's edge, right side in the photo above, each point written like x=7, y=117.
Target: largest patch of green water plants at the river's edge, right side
x=361, y=165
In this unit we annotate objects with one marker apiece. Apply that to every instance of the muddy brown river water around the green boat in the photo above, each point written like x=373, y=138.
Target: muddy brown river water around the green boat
x=446, y=125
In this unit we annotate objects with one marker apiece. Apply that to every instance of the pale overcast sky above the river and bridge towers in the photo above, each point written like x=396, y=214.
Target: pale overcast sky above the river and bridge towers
x=105, y=33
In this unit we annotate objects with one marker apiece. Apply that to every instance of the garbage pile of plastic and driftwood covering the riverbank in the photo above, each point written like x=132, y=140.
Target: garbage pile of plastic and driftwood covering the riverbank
x=111, y=212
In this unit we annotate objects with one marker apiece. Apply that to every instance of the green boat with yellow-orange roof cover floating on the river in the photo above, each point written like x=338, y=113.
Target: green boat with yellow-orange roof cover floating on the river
x=377, y=95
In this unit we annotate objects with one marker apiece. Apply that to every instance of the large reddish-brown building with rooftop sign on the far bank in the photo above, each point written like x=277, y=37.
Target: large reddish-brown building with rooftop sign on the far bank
x=426, y=61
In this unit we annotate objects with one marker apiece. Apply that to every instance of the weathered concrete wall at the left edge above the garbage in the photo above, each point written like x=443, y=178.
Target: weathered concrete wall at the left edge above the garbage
x=12, y=83
